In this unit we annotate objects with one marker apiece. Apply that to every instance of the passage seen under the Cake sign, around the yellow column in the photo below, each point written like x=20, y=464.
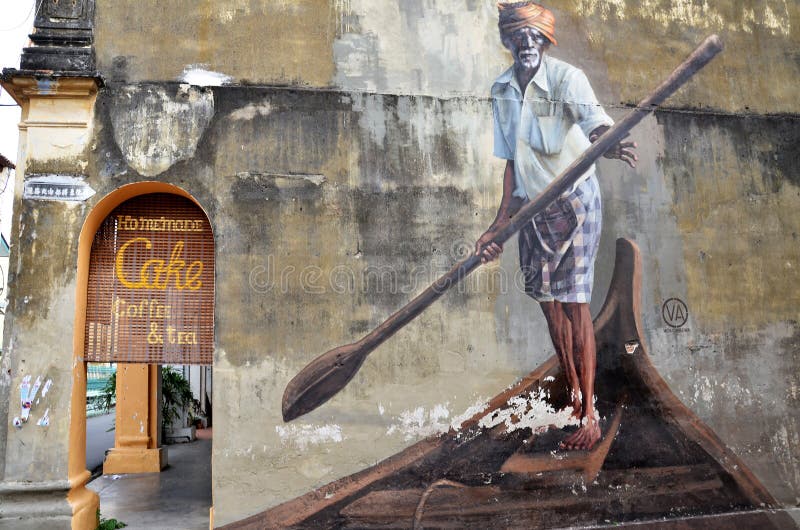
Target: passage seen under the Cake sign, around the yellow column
x=180, y=495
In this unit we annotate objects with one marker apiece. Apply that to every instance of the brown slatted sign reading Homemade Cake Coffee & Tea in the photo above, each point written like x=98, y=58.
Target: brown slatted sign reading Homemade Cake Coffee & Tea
x=151, y=284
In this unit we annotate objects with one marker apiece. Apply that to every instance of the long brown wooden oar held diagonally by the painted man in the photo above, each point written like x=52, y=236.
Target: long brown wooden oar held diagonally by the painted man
x=325, y=376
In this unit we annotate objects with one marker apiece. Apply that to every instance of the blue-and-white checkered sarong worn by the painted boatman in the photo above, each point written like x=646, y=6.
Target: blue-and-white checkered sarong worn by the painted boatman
x=557, y=250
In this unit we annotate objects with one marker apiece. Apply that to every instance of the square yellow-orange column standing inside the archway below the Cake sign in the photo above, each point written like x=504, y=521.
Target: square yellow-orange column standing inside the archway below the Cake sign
x=136, y=439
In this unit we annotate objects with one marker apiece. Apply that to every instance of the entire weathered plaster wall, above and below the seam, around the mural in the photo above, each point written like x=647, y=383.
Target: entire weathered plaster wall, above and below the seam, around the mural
x=331, y=208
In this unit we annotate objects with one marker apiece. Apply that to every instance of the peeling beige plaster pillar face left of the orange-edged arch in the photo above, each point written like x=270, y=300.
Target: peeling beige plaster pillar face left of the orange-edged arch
x=40, y=320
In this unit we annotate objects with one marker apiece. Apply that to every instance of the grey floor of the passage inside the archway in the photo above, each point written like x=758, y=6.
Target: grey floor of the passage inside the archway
x=177, y=498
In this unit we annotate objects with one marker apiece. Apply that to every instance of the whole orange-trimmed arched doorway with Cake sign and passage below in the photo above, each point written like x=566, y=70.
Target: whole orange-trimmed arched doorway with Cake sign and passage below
x=144, y=313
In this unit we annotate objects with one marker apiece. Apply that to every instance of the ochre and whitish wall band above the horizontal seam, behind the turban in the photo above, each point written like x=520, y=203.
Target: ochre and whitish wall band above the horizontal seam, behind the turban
x=450, y=47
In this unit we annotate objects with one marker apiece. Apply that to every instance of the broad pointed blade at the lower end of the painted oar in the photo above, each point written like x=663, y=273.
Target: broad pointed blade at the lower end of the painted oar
x=322, y=379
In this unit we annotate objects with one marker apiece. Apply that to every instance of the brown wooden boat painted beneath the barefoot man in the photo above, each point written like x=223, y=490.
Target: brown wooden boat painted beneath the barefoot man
x=658, y=462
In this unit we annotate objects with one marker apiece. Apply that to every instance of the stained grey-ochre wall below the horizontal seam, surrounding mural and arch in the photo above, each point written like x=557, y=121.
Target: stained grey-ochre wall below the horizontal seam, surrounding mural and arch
x=331, y=209
